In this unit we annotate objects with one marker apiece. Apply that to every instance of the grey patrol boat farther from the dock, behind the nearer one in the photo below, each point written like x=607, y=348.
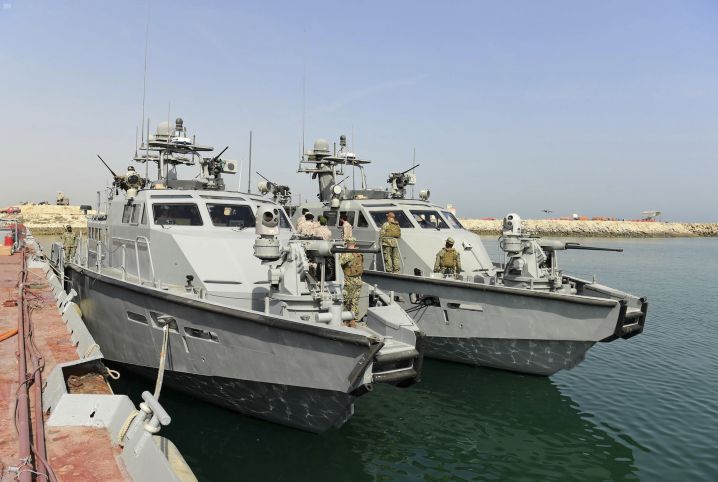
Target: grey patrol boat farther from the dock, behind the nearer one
x=523, y=314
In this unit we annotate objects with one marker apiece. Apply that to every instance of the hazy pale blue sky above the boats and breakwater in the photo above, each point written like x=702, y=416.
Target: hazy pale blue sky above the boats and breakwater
x=594, y=107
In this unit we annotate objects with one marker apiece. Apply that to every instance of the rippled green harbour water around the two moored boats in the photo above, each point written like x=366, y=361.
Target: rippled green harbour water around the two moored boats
x=640, y=409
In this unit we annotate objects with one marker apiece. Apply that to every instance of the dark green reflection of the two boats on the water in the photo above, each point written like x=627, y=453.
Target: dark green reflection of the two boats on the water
x=460, y=422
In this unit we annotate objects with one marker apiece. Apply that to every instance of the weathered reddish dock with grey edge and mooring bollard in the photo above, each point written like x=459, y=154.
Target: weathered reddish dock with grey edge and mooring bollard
x=60, y=419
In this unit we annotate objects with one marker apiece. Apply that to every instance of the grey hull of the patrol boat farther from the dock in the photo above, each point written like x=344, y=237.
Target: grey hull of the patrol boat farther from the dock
x=512, y=329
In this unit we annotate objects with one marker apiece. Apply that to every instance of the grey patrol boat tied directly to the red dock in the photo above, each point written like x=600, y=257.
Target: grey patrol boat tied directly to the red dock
x=245, y=313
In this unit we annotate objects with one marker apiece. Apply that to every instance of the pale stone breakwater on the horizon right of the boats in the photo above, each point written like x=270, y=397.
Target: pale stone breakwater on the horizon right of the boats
x=599, y=229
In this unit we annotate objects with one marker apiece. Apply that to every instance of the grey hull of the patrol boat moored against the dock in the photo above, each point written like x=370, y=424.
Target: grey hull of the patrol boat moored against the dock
x=296, y=374
